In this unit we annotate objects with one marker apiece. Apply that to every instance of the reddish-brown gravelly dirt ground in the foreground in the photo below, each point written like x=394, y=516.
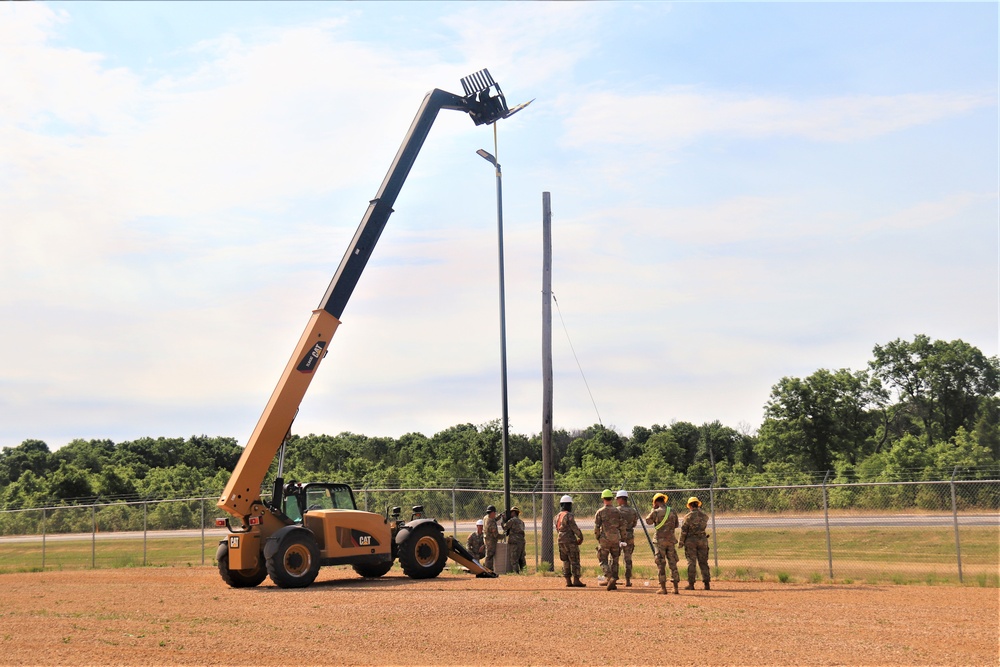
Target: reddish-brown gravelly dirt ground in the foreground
x=188, y=616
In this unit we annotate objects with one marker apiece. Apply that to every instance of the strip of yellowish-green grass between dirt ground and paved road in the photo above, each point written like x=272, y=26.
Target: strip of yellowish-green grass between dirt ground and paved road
x=873, y=555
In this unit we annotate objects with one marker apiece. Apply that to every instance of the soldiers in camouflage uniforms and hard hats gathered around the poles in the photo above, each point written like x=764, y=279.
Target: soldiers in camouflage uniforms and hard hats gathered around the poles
x=614, y=529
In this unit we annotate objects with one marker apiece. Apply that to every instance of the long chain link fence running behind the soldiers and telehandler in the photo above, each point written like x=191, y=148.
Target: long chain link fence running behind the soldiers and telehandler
x=902, y=532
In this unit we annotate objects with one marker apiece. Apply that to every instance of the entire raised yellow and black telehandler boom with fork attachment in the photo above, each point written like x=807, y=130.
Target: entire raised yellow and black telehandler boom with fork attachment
x=241, y=496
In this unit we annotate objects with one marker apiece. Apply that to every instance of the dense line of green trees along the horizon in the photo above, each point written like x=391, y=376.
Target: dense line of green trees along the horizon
x=919, y=411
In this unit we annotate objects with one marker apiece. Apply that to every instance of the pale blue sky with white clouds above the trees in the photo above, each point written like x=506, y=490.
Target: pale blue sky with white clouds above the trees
x=740, y=192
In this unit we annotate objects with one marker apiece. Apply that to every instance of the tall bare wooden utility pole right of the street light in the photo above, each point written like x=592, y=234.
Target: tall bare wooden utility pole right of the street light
x=547, y=554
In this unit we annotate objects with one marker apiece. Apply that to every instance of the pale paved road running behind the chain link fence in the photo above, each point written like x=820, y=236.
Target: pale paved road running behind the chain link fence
x=721, y=523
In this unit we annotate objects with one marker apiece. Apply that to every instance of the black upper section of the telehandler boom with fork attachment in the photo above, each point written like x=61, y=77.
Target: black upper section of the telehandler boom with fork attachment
x=481, y=106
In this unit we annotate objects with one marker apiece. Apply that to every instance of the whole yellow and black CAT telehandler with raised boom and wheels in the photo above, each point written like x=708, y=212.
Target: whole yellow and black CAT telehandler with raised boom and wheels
x=305, y=526
